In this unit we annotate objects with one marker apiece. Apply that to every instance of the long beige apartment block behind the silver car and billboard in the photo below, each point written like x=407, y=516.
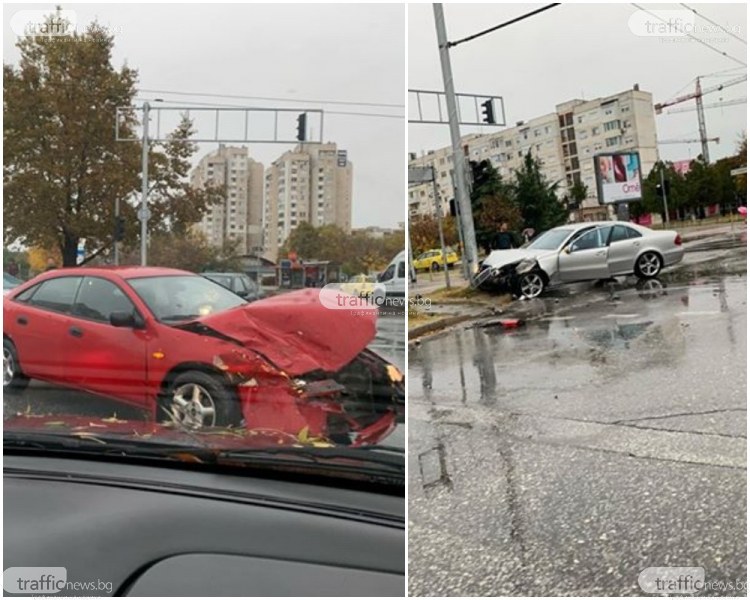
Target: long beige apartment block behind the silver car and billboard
x=564, y=141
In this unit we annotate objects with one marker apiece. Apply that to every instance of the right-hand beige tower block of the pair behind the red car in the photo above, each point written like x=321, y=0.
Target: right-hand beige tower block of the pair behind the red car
x=313, y=184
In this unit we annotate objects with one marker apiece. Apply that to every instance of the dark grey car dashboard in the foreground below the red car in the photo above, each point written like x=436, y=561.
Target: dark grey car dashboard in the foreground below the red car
x=143, y=530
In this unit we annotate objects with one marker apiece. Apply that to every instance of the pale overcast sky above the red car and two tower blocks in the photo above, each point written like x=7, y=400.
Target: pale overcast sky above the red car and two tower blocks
x=352, y=53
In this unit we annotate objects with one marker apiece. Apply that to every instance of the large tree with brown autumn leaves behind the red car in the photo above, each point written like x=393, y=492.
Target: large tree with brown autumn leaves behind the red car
x=63, y=168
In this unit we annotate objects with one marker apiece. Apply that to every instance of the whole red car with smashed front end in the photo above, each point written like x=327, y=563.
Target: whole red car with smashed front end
x=196, y=354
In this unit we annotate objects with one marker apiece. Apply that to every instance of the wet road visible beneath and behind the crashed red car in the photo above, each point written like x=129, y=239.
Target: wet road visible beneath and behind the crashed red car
x=44, y=398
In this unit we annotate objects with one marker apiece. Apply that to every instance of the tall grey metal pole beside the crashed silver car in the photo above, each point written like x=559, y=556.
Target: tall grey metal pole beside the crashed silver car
x=463, y=200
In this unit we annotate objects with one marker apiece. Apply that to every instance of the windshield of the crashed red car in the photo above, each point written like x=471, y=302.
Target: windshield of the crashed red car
x=177, y=298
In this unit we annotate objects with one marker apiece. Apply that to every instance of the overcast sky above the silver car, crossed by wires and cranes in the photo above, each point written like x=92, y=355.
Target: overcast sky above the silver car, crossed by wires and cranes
x=579, y=51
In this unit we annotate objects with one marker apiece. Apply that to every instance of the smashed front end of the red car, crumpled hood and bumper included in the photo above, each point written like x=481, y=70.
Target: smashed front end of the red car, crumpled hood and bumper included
x=303, y=369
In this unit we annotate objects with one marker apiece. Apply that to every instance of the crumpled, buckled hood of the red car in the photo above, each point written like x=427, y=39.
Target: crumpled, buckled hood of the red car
x=297, y=333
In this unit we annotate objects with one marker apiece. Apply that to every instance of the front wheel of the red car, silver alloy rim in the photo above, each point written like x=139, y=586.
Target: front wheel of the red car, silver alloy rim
x=219, y=405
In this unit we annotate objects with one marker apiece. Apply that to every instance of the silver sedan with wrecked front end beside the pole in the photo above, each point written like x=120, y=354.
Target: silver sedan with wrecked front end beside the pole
x=580, y=252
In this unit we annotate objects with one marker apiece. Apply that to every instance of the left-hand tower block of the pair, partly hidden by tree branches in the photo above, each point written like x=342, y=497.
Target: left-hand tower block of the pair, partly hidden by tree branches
x=239, y=216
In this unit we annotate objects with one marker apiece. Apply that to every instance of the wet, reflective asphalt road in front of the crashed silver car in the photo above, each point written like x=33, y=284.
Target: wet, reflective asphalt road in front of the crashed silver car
x=605, y=436
